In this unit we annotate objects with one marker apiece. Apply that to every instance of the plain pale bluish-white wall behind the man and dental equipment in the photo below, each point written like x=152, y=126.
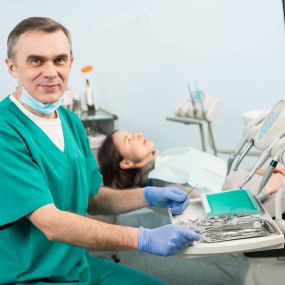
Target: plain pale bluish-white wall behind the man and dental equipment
x=144, y=51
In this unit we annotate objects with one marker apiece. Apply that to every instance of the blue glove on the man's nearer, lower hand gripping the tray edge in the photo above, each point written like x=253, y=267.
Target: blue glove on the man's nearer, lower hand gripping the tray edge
x=166, y=240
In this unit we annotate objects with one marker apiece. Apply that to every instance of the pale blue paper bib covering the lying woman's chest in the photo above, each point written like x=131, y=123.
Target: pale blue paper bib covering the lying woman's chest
x=192, y=167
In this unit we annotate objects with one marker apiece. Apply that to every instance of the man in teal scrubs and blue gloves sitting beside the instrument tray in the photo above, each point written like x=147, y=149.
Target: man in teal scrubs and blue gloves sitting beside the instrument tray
x=50, y=179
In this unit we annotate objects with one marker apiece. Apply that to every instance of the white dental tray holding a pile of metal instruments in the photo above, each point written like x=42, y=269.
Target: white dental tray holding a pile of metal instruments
x=229, y=233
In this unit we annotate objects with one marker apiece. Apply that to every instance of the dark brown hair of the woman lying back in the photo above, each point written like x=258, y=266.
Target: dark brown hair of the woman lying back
x=114, y=176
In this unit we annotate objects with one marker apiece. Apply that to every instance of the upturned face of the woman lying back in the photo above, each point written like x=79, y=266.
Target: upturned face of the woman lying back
x=133, y=146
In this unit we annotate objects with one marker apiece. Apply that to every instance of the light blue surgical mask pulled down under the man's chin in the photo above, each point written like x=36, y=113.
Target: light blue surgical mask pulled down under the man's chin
x=39, y=107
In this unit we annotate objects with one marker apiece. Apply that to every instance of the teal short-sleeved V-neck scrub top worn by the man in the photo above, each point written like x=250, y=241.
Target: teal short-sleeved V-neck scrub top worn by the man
x=35, y=172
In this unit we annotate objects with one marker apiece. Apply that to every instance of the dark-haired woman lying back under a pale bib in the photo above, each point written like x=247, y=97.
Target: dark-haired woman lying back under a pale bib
x=128, y=160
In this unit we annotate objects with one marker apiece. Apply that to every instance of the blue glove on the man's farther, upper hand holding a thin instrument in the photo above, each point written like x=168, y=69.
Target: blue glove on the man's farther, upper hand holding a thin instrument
x=167, y=197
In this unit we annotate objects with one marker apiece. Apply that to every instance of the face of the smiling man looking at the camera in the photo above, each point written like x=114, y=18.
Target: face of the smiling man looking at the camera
x=41, y=64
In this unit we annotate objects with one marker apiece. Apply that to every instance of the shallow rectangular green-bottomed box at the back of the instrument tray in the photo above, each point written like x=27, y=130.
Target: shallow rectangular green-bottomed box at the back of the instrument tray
x=227, y=203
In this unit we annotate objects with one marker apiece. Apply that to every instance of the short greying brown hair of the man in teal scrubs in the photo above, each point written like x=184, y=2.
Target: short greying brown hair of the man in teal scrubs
x=34, y=24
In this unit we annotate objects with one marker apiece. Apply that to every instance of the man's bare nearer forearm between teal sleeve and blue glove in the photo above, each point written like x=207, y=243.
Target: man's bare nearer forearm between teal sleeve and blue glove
x=82, y=231
